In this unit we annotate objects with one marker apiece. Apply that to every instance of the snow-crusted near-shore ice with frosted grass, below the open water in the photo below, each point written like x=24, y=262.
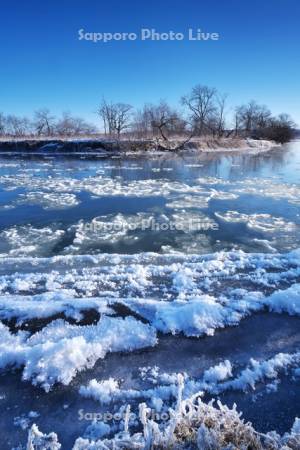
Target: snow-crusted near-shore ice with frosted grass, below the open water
x=62, y=368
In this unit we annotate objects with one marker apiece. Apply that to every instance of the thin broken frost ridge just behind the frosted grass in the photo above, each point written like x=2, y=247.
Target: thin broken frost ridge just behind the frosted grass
x=162, y=387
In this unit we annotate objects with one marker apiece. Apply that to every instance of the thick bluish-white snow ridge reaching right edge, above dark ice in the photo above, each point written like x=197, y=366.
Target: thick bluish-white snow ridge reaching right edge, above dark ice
x=203, y=314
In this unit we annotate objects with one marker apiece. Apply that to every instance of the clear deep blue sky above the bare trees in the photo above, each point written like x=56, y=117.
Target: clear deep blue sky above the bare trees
x=44, y=64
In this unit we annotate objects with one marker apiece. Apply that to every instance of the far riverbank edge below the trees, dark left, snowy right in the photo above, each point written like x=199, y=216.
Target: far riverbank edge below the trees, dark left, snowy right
x=99, y=146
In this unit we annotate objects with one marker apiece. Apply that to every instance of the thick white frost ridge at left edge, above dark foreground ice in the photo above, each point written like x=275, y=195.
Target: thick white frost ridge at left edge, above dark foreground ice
x=60, y=350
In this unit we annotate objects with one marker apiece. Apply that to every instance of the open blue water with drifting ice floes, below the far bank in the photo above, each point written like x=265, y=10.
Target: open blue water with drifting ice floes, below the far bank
x=255, y=192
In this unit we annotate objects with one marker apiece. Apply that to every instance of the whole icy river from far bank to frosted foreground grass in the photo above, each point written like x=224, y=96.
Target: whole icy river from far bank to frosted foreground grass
x=116, y=274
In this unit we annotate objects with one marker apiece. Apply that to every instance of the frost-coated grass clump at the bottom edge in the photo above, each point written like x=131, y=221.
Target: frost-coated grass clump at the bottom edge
x=191, y=422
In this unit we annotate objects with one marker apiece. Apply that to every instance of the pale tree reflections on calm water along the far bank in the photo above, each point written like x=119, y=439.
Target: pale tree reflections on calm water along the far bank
x=221, y=165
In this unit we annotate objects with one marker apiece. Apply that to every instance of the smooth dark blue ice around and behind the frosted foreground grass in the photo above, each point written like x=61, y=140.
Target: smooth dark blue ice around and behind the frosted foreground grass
x=59, y=409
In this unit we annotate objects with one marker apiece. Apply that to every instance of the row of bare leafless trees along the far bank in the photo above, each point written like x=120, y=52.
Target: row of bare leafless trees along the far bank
x=203, y=112
